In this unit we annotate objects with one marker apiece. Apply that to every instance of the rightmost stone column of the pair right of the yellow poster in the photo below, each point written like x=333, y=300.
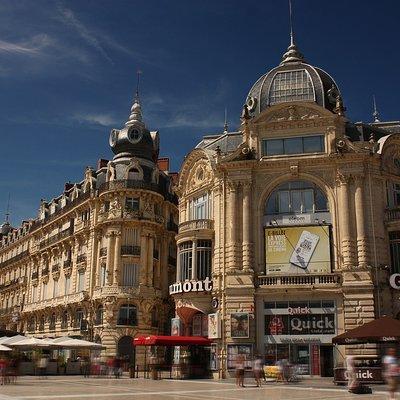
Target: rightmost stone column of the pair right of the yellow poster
x=362, y=248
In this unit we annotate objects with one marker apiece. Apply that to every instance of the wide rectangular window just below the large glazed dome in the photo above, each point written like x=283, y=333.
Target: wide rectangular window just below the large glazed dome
x=295, y=145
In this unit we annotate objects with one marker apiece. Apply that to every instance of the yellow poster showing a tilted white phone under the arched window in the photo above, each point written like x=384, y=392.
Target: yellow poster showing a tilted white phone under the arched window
x=297, y=250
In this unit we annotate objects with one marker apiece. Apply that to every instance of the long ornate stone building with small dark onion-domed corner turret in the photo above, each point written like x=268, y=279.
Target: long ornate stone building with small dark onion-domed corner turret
x=97, y=261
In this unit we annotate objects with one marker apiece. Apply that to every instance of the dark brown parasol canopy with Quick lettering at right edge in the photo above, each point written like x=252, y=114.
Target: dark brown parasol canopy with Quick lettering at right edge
x=382, y=330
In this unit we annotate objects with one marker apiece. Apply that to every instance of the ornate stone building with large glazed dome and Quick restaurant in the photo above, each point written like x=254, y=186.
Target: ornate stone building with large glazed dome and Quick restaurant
x=294, y=218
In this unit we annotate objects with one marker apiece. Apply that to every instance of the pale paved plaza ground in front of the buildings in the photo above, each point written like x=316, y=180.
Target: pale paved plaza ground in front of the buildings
x=104, y=388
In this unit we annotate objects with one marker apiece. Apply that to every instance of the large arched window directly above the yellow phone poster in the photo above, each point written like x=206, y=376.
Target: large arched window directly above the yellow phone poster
x=296, y=197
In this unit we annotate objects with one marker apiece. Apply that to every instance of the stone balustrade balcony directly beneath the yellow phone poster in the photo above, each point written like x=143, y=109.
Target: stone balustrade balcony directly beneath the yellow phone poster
x=306, y=281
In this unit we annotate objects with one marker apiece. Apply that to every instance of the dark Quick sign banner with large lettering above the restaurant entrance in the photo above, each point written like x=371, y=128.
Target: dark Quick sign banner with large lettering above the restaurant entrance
x=308, y=324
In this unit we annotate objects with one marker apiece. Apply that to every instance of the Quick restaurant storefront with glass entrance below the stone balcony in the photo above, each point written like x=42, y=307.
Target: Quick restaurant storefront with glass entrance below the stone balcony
x=301, y=332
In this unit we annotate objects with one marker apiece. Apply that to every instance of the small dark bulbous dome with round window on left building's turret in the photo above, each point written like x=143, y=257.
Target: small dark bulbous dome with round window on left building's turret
x=134, y=139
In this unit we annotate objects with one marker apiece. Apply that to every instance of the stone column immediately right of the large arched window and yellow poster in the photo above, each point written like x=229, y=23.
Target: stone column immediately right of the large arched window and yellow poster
x=347, y=243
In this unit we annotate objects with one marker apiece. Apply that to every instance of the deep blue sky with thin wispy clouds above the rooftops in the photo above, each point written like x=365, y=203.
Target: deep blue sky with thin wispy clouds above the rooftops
x=68, y=73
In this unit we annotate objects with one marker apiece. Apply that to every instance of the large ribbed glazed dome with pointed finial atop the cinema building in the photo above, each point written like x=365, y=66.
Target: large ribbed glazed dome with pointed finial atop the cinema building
x=294, y=80
